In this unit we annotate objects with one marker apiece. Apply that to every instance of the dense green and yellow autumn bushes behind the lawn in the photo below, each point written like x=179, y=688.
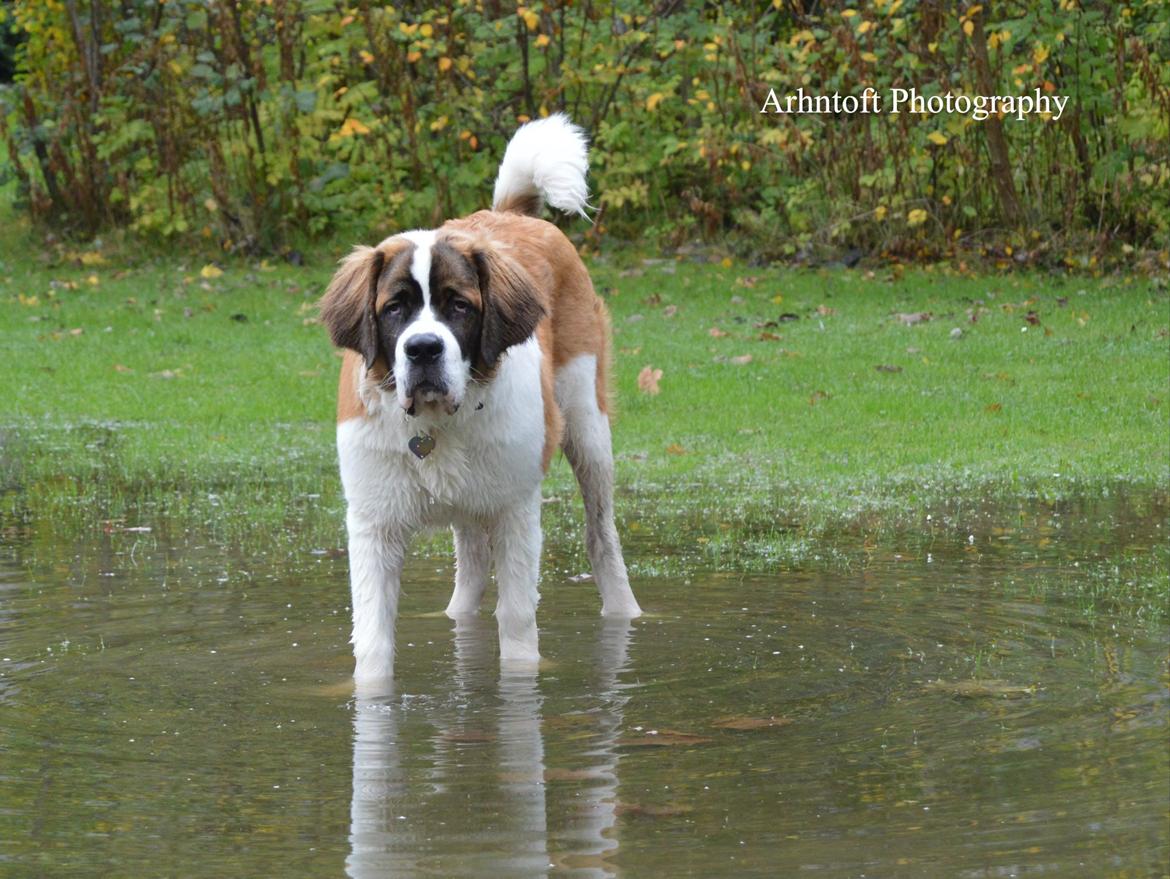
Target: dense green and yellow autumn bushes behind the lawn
x=252, y=123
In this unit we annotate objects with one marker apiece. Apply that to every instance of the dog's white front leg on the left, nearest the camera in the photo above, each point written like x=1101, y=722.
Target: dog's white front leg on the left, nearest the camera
x=377, y=552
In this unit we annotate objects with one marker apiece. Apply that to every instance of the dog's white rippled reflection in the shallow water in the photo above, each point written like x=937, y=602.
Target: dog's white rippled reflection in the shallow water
x=456, y=785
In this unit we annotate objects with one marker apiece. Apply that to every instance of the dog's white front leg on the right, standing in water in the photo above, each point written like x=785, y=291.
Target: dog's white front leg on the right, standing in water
x=517, y=542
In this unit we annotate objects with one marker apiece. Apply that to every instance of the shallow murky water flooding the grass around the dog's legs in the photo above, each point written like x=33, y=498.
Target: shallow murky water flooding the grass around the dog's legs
x=173, y=708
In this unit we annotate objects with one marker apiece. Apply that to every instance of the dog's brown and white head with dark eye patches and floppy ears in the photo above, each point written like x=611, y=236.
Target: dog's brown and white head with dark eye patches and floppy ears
x=431, y=312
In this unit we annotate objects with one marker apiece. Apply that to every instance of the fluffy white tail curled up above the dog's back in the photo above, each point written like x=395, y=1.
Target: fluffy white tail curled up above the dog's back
x=546, y=161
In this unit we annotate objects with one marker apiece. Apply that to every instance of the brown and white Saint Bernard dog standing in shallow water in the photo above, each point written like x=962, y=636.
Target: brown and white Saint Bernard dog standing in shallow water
x=473, y=352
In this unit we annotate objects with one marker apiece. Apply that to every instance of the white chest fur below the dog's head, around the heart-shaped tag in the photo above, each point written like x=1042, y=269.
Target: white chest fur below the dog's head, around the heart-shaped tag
x=486, y=457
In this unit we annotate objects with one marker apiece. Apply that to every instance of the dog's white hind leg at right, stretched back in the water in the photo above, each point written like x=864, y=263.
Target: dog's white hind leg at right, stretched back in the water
x=589, y=449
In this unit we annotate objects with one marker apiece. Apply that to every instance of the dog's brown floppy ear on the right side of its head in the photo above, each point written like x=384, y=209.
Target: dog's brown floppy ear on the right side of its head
x=512, y=305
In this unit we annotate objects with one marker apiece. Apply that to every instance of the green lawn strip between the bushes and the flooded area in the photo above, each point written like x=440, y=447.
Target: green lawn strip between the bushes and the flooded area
x=146, y=380
